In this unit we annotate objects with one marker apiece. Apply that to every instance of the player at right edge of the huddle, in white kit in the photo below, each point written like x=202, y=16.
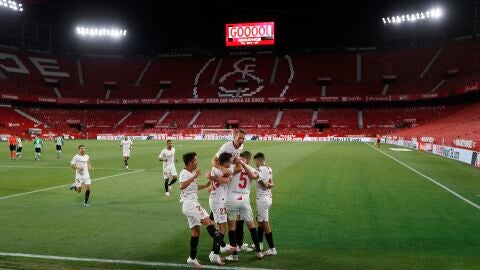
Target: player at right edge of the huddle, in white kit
x=264, y=202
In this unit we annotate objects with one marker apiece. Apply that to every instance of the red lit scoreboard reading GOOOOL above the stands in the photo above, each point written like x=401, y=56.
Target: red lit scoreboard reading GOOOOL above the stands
x=250, y=34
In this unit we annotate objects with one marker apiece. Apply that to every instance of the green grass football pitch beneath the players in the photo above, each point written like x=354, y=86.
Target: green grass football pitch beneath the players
x=335, y=206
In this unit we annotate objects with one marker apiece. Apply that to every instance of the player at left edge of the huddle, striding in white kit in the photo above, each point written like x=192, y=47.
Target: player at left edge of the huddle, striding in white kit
x=195, y=213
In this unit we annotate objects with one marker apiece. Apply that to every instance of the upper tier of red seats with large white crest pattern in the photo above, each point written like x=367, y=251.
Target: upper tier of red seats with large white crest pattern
x=411, y=70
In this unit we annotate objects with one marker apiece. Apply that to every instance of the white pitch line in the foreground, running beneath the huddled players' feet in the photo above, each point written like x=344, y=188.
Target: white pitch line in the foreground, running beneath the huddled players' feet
x=130, y=262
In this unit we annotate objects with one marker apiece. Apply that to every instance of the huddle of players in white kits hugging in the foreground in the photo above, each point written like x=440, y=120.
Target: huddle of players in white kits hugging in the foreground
x=229, y=187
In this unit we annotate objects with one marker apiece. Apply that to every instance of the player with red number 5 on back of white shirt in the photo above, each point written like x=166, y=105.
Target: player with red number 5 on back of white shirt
x=238, y=203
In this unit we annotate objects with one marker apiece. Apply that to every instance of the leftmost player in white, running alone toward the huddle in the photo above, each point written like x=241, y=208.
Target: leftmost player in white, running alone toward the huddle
x=82, y=166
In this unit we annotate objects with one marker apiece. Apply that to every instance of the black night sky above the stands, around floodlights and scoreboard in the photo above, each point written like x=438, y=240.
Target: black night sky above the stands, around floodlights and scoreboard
x=177, y=24
